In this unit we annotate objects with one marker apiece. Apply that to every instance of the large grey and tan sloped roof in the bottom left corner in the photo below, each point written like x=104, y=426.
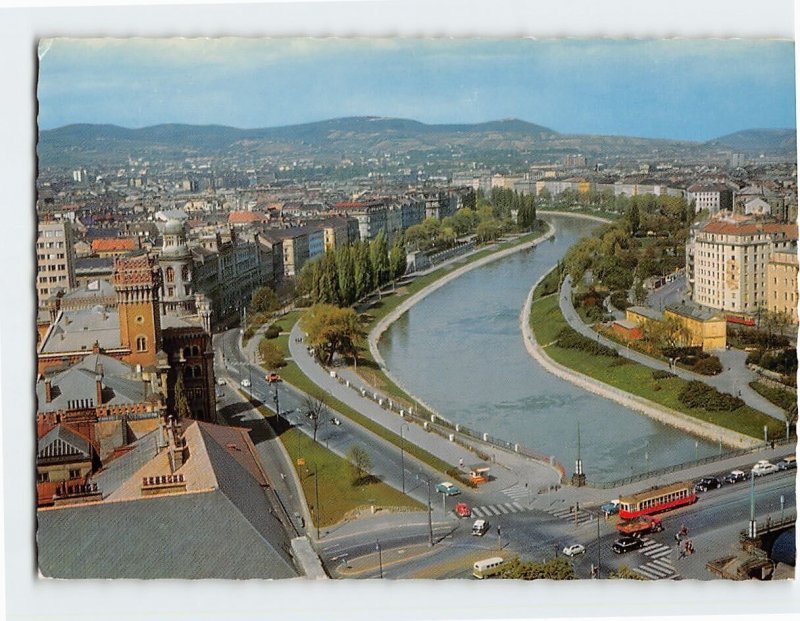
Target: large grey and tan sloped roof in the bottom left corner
x=223, y=526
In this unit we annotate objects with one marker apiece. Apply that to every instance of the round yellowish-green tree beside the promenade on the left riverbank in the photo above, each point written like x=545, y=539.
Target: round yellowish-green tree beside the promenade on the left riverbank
x=332, y=330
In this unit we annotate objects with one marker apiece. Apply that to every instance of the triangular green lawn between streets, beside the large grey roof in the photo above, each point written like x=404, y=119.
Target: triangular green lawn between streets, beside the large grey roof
x=337, y=495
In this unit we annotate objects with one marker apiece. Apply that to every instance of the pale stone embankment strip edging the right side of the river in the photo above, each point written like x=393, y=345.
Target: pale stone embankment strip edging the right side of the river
x=656, y=411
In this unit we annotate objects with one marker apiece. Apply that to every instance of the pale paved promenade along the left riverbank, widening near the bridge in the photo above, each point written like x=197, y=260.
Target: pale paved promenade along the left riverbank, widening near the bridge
x=510, y=470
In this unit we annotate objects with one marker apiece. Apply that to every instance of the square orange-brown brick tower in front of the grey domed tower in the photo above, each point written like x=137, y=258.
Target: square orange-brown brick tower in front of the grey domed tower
x=136, y=282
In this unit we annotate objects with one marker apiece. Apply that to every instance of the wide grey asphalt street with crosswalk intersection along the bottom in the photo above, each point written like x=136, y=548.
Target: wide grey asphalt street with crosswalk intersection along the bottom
x=532, y=525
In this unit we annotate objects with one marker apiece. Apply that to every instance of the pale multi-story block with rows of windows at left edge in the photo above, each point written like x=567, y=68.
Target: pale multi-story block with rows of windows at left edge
x=54, y=259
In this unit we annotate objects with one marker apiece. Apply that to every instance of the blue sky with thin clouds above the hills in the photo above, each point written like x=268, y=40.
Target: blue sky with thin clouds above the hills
x=685, y=89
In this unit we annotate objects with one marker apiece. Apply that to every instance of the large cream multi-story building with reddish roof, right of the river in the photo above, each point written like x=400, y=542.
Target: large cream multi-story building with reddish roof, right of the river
x=727, y=261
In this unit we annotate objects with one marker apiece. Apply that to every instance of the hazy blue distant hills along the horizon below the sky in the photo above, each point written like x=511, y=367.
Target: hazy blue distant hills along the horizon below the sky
x=508, y=141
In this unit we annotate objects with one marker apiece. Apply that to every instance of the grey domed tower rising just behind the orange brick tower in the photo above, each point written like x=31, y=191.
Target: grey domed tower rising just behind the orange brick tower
x=177, y=296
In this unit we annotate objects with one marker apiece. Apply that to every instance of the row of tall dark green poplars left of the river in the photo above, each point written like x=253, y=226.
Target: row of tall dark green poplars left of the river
x=349, y=273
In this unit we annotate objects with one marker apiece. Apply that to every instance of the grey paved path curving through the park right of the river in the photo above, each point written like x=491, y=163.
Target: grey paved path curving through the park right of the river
x=734, y=379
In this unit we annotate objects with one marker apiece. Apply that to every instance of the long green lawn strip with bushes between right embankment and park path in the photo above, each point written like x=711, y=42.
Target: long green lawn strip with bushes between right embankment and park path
x=637, y=379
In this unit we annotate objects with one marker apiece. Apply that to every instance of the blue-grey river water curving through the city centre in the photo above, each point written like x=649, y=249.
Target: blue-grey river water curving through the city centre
x=460, y=350
